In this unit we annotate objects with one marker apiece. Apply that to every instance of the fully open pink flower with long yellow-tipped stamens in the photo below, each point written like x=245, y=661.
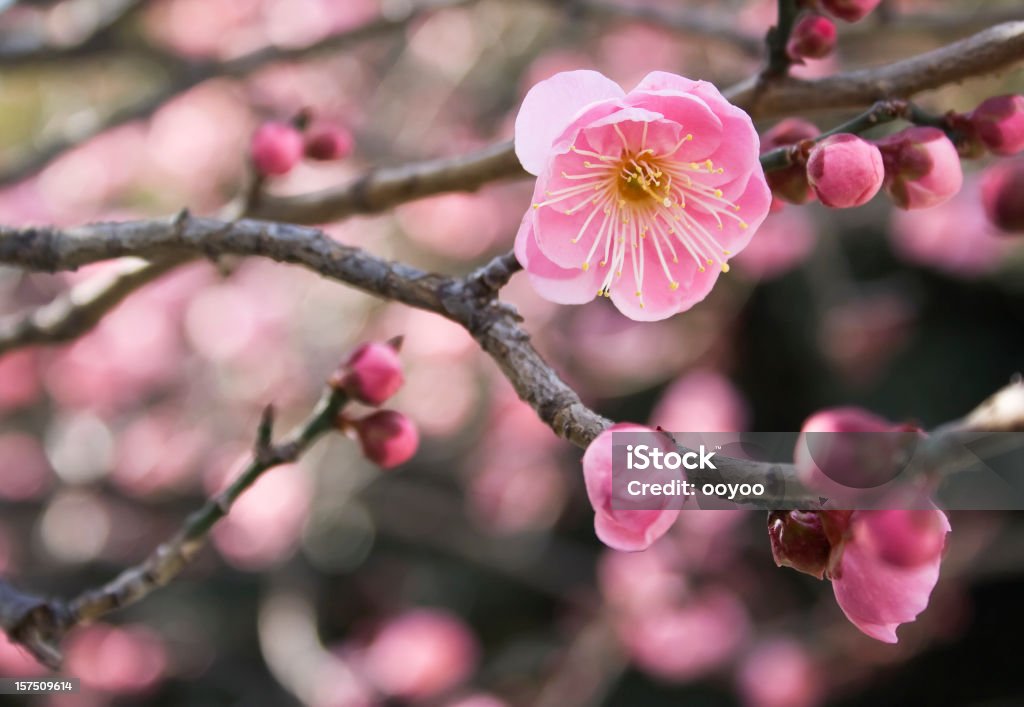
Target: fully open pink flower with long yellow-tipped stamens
x=642, y=197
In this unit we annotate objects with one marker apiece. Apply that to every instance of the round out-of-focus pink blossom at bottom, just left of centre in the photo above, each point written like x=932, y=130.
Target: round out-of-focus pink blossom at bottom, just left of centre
x=421, y=654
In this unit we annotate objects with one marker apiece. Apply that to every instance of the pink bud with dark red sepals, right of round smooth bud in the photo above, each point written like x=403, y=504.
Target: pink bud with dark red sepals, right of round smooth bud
x=923, y=169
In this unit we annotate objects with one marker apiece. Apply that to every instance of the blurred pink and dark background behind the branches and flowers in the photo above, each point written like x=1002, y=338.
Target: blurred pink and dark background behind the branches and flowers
x=108, y=442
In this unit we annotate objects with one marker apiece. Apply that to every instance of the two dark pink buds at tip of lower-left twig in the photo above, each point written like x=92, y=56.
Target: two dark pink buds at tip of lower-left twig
x=371, y=376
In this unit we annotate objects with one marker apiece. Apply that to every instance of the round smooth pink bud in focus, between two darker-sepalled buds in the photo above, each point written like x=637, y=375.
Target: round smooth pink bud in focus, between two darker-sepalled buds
x=845, y=172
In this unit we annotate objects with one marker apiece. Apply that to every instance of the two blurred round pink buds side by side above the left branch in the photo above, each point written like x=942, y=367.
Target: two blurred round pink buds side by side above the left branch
x=278, y=147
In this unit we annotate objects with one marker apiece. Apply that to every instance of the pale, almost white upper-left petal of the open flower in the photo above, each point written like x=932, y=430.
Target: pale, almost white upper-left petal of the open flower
x=550, y=108
